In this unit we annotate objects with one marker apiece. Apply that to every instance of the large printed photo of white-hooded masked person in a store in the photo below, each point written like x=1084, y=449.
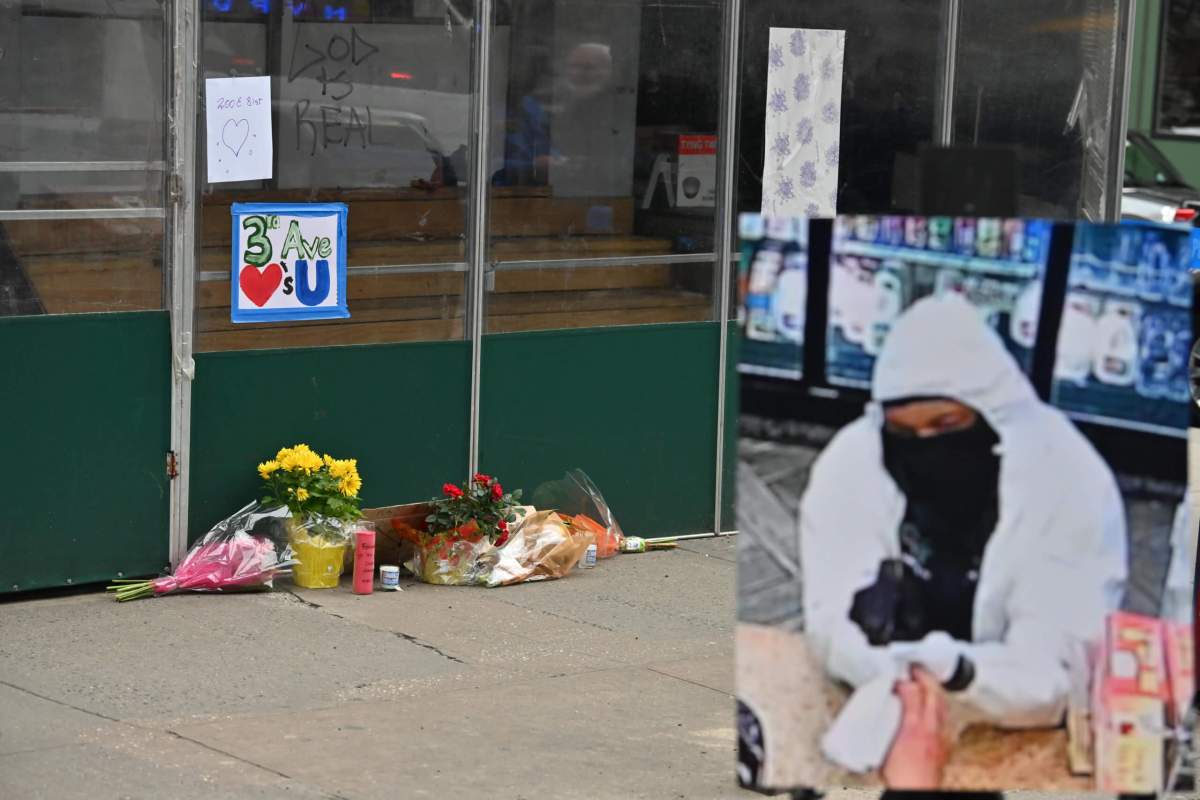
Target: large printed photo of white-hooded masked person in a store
x=964, y=566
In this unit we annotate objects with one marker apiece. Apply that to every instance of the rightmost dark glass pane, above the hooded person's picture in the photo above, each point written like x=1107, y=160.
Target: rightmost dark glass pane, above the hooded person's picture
x=1037, y=79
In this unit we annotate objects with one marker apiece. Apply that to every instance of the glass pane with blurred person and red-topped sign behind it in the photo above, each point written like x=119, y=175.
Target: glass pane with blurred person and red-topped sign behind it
x=604, y=147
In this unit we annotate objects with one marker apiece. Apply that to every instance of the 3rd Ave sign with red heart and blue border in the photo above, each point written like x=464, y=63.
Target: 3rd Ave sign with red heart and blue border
x=289, y=262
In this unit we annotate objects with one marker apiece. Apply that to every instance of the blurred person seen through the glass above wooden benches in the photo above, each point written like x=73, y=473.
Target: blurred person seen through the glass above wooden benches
x=557, y=125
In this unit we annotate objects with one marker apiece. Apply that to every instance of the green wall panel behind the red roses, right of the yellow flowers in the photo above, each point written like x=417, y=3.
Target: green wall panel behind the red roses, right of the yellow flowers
x=634, y=407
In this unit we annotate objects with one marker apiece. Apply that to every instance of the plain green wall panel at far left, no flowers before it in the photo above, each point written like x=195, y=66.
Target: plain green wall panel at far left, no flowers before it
x=86, y=400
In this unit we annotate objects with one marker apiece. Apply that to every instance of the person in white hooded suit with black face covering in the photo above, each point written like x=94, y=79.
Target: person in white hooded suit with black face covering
x=963, y=530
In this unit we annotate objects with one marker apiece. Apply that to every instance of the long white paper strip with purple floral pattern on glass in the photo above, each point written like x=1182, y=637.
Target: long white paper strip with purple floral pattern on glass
x=800, y=176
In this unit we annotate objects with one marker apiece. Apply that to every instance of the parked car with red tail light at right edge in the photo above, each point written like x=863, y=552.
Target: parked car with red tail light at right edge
x=1154, y=189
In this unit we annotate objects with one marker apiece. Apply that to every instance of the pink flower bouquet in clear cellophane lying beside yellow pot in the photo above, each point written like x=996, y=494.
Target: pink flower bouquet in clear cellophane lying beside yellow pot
x=247, y=551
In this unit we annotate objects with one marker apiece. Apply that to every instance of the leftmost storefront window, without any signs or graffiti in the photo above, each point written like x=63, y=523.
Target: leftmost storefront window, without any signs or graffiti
x=82, y=142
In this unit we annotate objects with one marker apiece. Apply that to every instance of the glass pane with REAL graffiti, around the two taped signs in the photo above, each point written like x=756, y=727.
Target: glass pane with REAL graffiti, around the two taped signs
x=371, y=109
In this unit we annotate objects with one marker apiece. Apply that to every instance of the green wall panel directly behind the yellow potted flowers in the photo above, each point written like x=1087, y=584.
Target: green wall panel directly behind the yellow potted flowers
x=401, y=410
